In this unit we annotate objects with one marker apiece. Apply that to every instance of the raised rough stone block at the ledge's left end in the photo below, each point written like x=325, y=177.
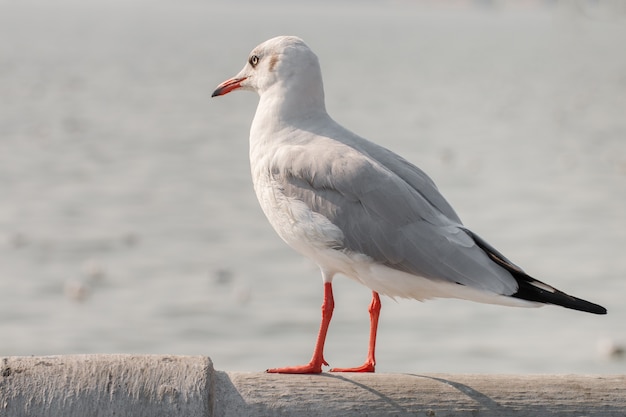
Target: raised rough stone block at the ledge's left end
x=106, y=385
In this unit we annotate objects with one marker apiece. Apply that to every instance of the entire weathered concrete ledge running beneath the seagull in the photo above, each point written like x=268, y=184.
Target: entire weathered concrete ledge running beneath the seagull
x=128, y=385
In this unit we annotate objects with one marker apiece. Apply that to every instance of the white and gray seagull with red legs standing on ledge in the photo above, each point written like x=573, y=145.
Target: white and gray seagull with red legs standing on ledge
x=358, y=209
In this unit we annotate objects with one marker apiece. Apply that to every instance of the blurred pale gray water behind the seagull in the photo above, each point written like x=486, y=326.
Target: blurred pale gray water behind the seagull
x=128, y=221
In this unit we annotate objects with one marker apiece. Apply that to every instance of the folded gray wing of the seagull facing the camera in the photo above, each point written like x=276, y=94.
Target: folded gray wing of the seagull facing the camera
x=391, y=211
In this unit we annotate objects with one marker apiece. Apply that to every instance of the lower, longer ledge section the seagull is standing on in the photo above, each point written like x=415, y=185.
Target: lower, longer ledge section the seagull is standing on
x=260, y=394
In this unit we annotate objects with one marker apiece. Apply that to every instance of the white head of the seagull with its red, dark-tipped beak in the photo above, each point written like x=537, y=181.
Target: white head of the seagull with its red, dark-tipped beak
x=284, y=68
